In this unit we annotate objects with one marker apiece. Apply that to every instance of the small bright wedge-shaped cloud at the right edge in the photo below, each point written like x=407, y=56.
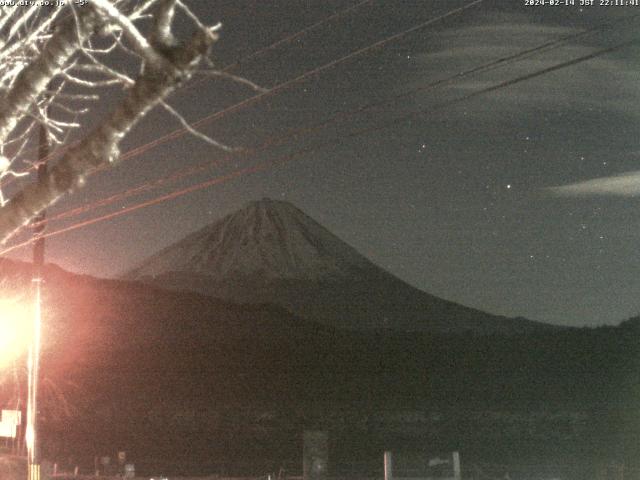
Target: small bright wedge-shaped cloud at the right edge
x=626, y=185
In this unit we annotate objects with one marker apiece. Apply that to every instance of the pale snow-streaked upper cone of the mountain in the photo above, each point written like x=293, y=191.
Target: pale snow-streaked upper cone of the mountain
x=268, y=239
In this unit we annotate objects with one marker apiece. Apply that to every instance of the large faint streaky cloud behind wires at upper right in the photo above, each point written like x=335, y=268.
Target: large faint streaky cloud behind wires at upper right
x=587, y=85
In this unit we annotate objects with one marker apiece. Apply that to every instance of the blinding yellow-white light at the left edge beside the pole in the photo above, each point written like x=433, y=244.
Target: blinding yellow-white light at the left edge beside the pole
x=15, y=325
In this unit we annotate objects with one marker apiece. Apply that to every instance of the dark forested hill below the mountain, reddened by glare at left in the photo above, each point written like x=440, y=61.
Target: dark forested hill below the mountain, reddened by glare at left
x=147, y=369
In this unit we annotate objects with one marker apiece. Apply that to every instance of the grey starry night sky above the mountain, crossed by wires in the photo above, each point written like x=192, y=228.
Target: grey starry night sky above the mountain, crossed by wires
x=521, y=201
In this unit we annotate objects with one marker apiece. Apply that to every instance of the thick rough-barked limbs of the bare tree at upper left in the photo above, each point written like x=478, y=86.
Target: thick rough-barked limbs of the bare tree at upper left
x=165, y=67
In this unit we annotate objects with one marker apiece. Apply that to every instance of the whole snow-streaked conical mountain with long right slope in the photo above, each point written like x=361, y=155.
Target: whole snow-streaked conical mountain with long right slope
x=271, y=252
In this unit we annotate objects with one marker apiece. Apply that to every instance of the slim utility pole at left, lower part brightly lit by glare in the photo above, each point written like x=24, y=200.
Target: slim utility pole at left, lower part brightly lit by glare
x=33, y=362
